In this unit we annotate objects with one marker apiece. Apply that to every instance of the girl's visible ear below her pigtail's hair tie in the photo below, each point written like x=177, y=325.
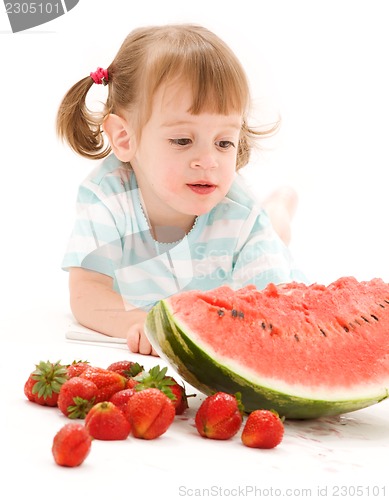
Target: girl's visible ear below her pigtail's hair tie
x=120, y=136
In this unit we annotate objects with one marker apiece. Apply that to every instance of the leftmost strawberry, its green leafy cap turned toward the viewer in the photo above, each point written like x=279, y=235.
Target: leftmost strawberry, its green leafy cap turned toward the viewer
x=44, y=383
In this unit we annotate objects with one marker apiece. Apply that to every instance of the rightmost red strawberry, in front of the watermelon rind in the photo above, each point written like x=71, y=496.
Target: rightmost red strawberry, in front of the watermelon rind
x=263, y=429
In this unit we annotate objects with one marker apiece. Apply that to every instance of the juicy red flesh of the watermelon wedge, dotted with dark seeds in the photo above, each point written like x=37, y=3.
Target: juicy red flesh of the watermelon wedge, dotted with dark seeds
x=329, y=337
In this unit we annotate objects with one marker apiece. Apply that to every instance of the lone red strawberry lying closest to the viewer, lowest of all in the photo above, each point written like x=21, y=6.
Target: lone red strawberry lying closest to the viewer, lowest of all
x=71, y=445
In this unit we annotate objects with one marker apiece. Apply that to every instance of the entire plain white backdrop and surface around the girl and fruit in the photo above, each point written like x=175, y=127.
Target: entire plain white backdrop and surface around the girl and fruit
x=323, y=66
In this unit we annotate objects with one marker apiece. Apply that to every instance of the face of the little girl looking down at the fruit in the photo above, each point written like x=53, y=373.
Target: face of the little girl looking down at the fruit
x=184, y=163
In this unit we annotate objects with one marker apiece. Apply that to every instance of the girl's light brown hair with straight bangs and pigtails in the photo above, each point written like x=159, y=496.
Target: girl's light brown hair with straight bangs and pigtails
x=148, y=58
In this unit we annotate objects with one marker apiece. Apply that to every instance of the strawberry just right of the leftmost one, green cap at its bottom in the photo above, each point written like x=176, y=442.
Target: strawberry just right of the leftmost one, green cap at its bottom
x=76, y=397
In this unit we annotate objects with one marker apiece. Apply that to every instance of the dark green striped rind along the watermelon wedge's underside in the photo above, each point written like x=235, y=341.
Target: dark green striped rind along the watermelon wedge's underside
x=208, y=375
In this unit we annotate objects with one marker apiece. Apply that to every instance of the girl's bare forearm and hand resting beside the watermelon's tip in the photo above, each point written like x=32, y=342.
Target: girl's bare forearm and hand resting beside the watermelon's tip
x=97, y=306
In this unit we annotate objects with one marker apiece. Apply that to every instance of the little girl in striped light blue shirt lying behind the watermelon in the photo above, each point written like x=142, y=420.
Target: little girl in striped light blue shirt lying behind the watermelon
x=166, y=210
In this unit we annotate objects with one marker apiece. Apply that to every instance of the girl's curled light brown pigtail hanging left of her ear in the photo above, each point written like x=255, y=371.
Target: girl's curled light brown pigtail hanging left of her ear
x=80, y=127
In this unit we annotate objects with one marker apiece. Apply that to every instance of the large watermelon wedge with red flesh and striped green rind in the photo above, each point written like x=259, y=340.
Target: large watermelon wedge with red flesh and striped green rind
x=304, y=351
